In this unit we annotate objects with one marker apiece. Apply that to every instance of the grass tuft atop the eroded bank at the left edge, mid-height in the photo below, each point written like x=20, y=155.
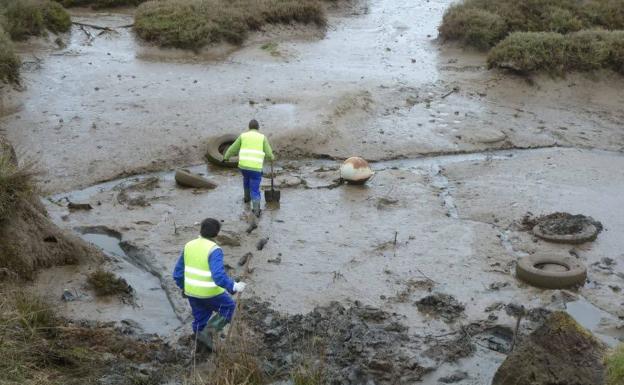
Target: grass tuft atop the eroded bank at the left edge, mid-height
x=16, y=182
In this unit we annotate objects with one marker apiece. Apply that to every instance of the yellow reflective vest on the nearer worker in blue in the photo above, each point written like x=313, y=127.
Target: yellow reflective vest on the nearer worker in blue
x=198, y=281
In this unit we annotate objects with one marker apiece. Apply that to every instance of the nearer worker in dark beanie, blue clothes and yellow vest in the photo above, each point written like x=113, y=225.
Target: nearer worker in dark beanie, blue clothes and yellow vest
x=200, y=274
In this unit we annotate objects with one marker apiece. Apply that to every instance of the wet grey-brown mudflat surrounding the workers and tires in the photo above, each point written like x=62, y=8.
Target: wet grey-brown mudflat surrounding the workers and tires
x=456, y=173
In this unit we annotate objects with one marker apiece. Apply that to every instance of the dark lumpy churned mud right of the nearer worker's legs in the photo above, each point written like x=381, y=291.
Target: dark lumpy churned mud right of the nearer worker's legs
x=361, y=344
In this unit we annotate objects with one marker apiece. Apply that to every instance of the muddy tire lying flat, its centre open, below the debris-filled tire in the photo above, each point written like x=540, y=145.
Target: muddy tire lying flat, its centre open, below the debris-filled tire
x=575, y=275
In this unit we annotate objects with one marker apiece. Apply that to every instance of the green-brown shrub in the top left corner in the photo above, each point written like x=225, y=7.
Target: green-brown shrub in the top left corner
x=24, y=18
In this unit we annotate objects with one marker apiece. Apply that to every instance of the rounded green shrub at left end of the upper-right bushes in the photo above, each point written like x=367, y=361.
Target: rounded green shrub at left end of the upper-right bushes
x=475, y=27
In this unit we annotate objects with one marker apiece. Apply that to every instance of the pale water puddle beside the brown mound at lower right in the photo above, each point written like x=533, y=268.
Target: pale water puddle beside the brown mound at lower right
x=594, y=319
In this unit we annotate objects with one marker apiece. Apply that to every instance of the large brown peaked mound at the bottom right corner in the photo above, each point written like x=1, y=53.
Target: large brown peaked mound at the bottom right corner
x=558, y=352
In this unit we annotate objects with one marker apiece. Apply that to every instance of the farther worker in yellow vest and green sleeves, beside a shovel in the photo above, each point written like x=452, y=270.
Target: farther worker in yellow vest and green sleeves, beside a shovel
x=252, y=148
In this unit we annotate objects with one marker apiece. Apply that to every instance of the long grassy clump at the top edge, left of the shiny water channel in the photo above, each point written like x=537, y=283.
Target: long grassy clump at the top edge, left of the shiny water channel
x=193, y=24
